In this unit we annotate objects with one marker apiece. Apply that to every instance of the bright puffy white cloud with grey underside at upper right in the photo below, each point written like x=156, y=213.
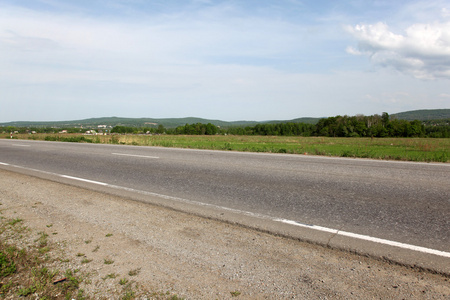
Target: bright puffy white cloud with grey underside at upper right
x=423, y=51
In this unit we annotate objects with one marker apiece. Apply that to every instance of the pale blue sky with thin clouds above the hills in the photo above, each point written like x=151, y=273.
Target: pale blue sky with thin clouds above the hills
x=227, y=60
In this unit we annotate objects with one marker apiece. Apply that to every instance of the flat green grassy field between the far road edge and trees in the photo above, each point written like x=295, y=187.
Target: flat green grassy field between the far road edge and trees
x=405, y=149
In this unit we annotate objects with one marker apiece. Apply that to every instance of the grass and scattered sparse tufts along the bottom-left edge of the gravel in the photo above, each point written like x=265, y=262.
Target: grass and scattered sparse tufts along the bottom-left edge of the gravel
x=28, y=272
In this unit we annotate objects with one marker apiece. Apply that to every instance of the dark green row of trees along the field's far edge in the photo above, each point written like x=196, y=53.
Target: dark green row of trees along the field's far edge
x=338, y=126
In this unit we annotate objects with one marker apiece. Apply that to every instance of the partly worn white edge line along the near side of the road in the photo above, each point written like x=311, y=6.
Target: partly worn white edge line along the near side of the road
x=285, y=221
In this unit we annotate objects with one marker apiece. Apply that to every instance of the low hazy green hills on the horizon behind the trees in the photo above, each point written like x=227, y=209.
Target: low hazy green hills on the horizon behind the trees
x=421, y=115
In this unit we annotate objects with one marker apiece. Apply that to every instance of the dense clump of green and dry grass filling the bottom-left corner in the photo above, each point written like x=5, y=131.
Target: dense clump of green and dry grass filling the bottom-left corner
x=25, y=271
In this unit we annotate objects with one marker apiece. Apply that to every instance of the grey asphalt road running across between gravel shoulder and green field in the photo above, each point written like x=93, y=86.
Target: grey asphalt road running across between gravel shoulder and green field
x=402, y=202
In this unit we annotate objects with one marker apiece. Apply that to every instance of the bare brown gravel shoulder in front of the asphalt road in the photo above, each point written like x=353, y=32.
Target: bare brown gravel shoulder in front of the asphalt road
x=172, y=253
